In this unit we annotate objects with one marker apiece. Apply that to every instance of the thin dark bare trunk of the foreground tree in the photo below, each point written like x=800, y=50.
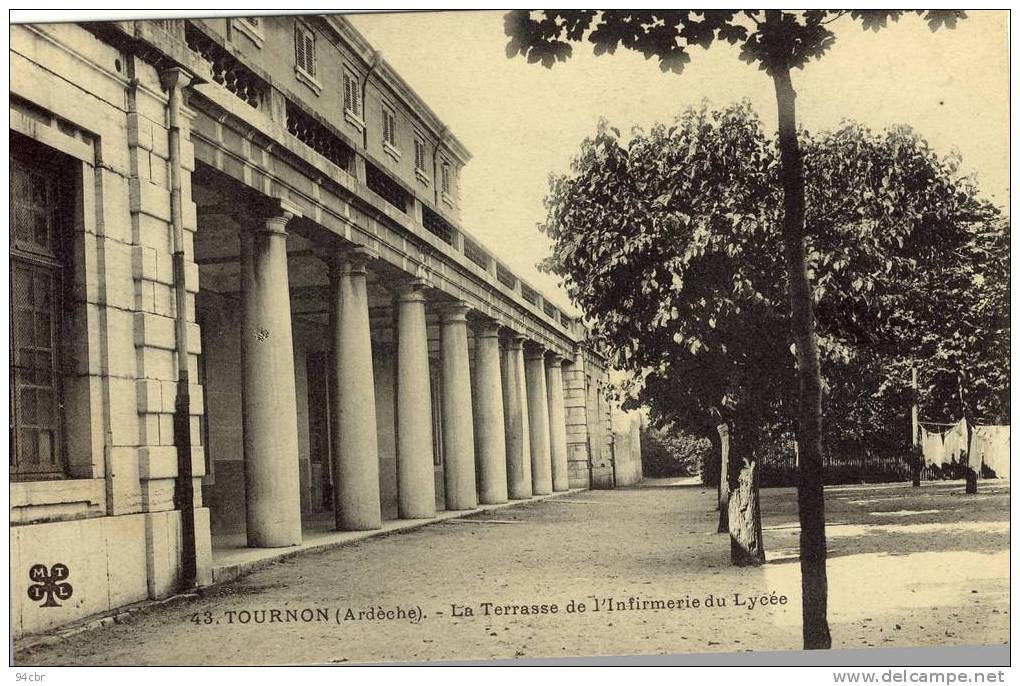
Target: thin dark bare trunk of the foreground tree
x=811, y=500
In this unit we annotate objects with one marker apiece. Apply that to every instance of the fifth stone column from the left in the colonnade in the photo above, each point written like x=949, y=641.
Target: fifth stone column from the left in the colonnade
x=490, y=430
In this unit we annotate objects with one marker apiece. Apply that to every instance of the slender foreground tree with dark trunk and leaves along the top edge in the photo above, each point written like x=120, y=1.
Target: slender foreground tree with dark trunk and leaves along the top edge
x=778, y=42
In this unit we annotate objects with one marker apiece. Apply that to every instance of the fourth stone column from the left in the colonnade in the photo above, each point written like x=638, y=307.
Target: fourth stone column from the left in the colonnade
x=458, y=430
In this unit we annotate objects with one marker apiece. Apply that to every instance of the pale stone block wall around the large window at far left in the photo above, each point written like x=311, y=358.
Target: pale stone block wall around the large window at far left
x=112, y=522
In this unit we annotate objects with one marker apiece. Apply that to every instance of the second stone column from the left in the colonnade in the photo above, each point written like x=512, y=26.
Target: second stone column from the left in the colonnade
x=352, y=399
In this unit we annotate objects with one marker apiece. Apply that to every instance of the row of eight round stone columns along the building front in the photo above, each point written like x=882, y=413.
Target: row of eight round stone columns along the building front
x=506, y=441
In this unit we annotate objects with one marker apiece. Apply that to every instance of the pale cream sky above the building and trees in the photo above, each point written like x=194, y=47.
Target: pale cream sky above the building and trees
x=523, y=122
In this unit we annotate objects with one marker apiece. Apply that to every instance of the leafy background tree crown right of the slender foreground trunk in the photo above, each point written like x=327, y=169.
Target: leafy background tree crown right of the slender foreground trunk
x=911, y=271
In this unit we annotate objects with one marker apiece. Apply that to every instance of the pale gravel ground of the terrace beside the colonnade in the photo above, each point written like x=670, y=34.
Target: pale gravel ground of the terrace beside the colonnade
x=907, y=567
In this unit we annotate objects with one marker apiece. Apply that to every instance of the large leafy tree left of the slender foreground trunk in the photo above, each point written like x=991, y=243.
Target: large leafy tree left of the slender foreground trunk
x=684, y=284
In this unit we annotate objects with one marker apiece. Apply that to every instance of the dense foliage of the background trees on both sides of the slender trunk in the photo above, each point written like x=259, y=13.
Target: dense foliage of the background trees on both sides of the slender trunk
x=667, y=240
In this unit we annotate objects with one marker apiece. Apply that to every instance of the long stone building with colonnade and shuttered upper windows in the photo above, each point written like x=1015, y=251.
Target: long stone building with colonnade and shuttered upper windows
x=244, y=305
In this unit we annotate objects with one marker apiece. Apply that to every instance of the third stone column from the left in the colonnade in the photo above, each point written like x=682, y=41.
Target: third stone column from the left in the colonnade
x=416, y=471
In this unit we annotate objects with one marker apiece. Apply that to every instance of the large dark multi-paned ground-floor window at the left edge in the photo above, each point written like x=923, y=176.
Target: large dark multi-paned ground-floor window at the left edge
x=40, y=196
